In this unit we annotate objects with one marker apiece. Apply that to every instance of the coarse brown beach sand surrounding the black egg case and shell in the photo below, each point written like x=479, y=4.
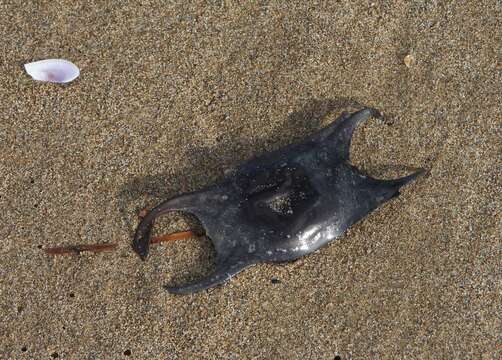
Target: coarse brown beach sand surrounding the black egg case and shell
x=172, y=95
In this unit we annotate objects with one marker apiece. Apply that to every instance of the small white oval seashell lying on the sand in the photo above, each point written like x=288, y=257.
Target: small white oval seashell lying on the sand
x=53, y=70
